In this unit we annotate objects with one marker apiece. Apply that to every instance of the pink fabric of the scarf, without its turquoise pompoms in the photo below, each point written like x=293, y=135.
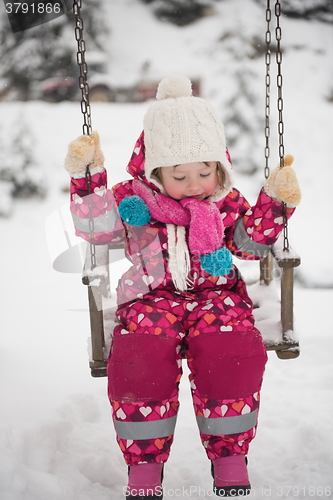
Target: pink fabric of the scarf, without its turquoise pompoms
x=203, y=218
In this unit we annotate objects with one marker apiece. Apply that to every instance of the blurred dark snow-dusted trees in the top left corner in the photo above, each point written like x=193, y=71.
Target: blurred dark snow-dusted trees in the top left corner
x=48, y=50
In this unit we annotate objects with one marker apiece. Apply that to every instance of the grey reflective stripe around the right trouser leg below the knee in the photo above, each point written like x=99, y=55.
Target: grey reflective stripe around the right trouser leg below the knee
x=227, y=425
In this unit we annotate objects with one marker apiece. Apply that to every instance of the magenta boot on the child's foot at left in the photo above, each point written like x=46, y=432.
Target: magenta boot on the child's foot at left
x=145, y=482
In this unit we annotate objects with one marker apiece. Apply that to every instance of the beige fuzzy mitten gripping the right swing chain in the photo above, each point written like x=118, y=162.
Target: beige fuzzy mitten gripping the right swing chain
x=282, y=184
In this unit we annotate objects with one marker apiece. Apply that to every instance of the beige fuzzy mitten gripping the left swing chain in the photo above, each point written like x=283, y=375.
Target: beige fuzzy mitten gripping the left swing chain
x=83, y=151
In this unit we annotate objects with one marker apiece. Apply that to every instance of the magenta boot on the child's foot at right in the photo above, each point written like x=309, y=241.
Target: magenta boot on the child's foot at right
x=230, y=476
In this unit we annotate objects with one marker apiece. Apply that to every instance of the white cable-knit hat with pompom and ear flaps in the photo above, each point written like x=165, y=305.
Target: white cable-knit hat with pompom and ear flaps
x=180, y=128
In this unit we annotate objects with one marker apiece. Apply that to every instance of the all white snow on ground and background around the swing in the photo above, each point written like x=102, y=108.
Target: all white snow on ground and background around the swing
x=56, y=437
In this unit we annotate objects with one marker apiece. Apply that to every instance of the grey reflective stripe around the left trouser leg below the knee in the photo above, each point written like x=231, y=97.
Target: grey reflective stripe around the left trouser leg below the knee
x=145, y=430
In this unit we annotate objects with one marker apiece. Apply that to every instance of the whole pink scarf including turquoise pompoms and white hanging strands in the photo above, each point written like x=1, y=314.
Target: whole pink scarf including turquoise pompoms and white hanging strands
x=203, y=219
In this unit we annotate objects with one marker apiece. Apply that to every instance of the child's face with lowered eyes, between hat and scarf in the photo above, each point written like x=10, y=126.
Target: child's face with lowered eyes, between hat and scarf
x=190, y=180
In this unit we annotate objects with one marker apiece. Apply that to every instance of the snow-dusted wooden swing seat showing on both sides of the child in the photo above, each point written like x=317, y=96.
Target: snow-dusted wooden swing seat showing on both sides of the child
x=277, y=330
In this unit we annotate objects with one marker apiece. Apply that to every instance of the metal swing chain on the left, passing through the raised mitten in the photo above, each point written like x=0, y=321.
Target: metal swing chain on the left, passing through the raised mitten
x=86, y=111
